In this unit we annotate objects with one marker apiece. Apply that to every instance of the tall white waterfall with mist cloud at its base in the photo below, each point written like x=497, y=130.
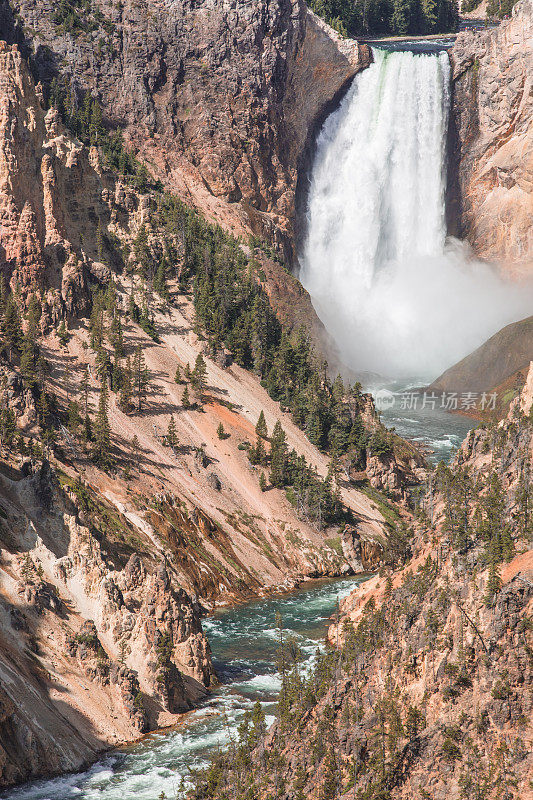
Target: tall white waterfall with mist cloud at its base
x=398, y=298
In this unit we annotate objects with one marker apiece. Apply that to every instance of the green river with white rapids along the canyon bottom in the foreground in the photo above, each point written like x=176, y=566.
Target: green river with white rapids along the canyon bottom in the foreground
x=244, y=643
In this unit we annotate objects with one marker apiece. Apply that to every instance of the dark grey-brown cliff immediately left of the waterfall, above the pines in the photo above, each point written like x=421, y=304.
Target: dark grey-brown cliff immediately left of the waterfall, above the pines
x=221, y=101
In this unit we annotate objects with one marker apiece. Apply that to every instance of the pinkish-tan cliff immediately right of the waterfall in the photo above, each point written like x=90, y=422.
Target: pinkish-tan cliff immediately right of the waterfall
x=491, y=170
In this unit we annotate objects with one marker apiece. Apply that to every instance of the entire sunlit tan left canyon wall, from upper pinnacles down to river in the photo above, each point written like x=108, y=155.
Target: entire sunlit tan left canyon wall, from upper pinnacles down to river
x=105, y=572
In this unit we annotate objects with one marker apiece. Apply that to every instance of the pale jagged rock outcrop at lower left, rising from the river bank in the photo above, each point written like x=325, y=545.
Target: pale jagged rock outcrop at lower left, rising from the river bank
x=85, y=629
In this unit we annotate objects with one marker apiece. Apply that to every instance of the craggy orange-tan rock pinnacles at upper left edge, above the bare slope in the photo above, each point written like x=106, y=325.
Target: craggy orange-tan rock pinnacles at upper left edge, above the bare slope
x=52, y=193
